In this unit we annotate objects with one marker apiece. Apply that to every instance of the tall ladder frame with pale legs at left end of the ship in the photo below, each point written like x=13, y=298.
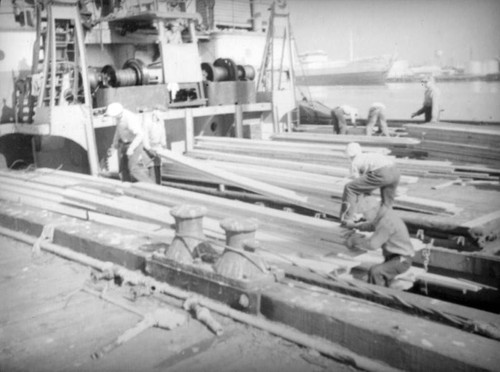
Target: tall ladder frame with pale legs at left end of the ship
x=60, y=92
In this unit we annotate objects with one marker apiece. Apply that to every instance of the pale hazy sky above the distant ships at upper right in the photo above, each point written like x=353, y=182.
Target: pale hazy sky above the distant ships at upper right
x=452, y=32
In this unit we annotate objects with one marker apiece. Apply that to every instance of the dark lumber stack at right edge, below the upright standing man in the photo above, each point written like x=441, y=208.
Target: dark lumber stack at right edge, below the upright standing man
x=459, y=143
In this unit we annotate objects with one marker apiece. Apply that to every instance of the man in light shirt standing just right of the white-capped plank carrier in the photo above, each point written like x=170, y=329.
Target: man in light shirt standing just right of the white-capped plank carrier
x=155, y=139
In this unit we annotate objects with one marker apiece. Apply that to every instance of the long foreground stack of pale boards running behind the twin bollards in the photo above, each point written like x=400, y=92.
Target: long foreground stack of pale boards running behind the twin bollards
x=309, y=243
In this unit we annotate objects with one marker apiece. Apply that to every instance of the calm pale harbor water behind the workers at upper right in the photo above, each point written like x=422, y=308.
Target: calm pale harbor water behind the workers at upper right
x=476, y=100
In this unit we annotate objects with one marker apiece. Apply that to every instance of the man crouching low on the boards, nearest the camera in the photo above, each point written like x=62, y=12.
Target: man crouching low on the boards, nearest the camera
x=389, y=233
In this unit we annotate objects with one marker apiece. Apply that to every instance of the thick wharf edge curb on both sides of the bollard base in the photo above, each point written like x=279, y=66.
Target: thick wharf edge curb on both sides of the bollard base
x=371, y=330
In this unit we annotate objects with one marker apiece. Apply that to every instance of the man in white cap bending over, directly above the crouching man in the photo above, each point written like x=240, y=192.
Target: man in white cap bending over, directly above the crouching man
x=369, y=171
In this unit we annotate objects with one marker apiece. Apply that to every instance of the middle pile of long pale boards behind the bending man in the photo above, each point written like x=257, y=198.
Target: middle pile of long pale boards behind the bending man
x=310, y=169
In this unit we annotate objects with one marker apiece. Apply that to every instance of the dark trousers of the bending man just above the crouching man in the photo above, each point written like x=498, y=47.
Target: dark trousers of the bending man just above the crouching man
x=385, y=178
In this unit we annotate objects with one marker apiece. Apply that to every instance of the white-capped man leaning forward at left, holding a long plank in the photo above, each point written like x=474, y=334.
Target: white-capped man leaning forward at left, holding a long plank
x=128, y=141
